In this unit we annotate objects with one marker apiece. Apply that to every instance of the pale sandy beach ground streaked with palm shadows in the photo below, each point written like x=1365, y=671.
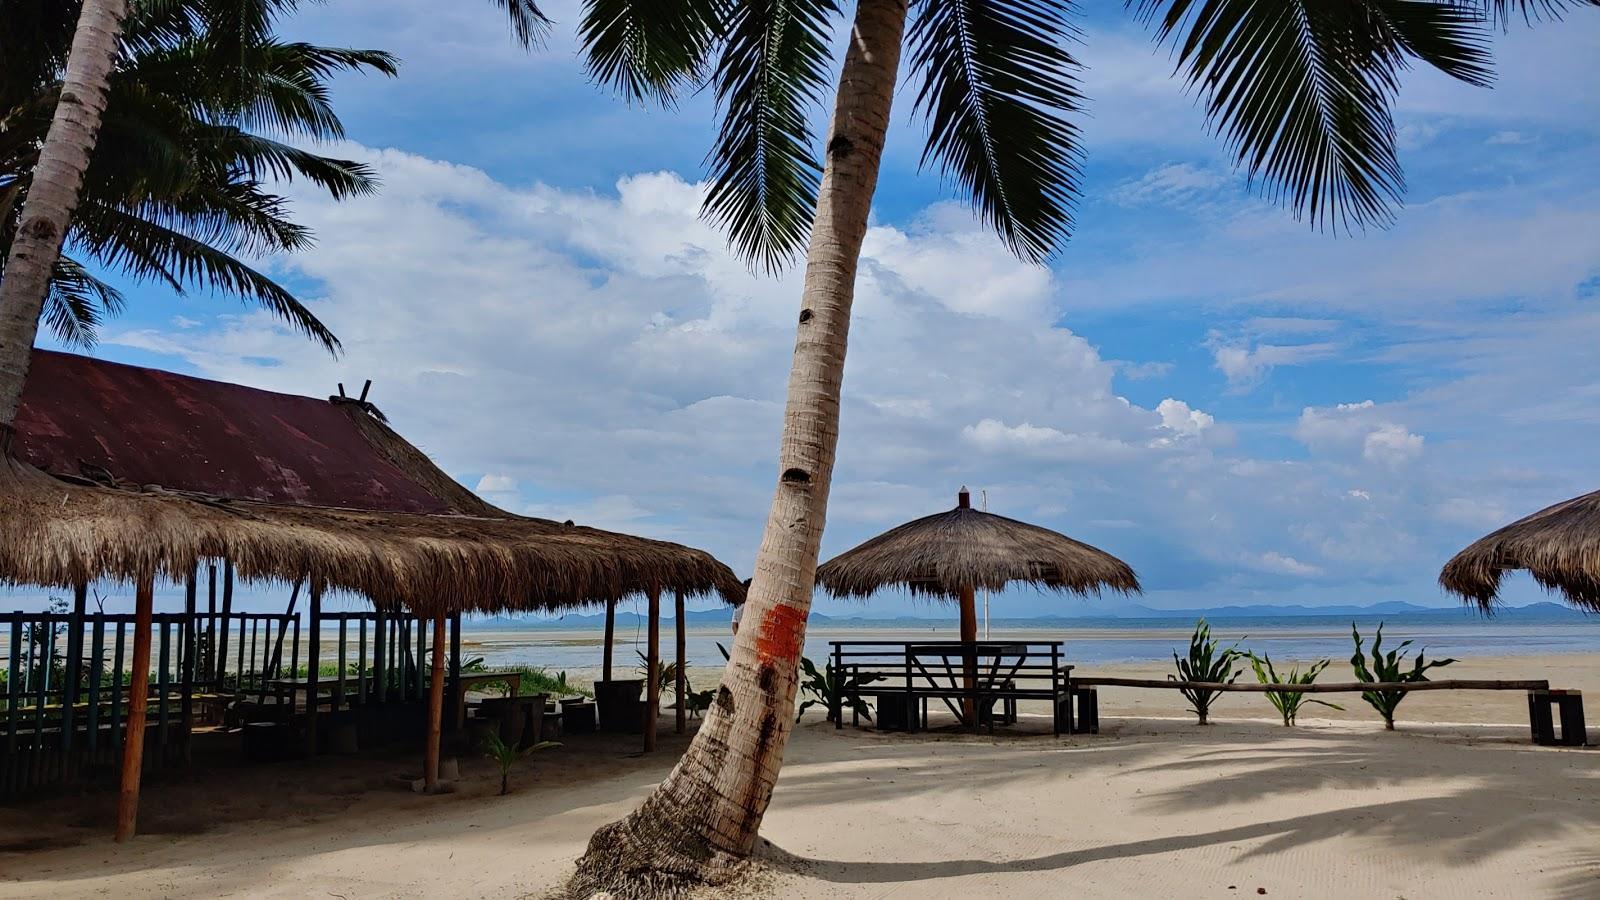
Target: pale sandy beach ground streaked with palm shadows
x=1154, y=806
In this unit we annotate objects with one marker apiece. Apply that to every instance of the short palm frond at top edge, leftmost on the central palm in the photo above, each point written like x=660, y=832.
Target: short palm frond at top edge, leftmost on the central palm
x=649, y=50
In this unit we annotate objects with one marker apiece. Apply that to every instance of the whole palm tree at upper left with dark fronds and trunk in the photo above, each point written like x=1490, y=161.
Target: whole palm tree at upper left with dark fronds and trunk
x=198, y=110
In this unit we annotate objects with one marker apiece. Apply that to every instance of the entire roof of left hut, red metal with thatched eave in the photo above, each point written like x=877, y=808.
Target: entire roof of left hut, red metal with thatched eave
x=60, y=528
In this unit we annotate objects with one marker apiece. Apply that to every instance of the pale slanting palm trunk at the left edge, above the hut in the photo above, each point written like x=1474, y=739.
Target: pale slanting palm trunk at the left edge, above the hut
x=54, y=195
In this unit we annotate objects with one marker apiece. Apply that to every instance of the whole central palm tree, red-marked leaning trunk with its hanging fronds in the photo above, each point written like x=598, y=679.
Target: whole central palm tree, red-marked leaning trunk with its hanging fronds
x=1300, y=90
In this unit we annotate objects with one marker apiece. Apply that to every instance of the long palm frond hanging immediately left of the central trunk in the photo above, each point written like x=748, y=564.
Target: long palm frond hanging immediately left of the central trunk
x=764, y=172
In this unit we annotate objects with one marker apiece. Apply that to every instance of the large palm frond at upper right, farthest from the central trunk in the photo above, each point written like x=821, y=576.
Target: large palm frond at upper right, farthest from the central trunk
x=1303, y=89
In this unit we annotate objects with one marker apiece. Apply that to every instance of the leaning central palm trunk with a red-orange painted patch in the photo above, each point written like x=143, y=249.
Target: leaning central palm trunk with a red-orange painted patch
x=703, y=819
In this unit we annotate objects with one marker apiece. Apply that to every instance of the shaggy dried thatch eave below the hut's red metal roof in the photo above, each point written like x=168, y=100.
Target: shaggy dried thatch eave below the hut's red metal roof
x=60, y=534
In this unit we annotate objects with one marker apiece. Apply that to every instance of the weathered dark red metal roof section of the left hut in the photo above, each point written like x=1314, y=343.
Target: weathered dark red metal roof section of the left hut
x=150, y=427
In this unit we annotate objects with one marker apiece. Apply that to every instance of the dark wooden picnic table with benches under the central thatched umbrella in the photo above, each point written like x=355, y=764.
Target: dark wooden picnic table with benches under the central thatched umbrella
x=972, y=678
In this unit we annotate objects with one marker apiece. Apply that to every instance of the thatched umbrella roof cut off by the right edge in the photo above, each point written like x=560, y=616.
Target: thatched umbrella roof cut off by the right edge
x=1559, y=547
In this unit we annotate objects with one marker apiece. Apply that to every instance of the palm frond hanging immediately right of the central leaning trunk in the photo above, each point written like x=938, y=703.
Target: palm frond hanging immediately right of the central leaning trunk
x=999, y=86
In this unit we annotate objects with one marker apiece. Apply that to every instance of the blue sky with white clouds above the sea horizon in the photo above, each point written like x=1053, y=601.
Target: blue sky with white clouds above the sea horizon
x=1241, y=408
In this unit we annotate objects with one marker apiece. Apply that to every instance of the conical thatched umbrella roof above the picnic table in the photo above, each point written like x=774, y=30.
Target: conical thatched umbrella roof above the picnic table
x=940, y=555
